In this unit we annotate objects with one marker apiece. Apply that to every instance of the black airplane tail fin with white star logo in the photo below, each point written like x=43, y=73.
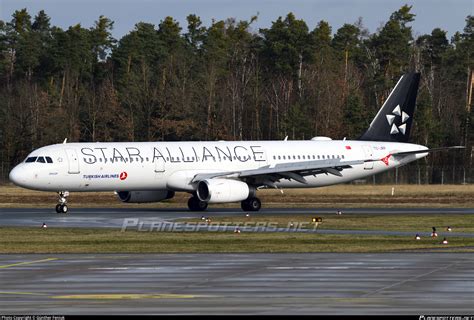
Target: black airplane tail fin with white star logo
x=394, y=119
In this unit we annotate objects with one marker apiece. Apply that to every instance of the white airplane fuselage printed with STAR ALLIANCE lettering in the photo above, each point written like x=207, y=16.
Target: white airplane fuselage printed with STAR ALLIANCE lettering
x=134, y=166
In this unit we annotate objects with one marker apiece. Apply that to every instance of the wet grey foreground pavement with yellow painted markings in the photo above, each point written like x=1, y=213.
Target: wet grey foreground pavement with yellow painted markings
x=401, y=283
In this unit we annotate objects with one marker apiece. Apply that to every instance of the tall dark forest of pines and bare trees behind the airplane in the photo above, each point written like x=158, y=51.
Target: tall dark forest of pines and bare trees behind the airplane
x=228, y=81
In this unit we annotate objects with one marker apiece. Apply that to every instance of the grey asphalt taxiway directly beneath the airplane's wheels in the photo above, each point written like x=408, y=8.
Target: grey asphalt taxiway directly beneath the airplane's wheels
x=121, y=217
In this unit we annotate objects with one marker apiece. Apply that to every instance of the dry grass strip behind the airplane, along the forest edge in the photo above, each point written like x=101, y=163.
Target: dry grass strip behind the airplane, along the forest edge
x=342, y=196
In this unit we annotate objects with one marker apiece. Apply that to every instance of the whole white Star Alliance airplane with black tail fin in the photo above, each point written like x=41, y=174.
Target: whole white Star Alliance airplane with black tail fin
x=226, y=171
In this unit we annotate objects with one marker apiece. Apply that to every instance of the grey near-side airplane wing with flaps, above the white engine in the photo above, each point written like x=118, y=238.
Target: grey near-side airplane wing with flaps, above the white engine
x=268, y=175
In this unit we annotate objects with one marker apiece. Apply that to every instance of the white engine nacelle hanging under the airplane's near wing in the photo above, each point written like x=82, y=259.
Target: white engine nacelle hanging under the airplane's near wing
x=222, y=190
